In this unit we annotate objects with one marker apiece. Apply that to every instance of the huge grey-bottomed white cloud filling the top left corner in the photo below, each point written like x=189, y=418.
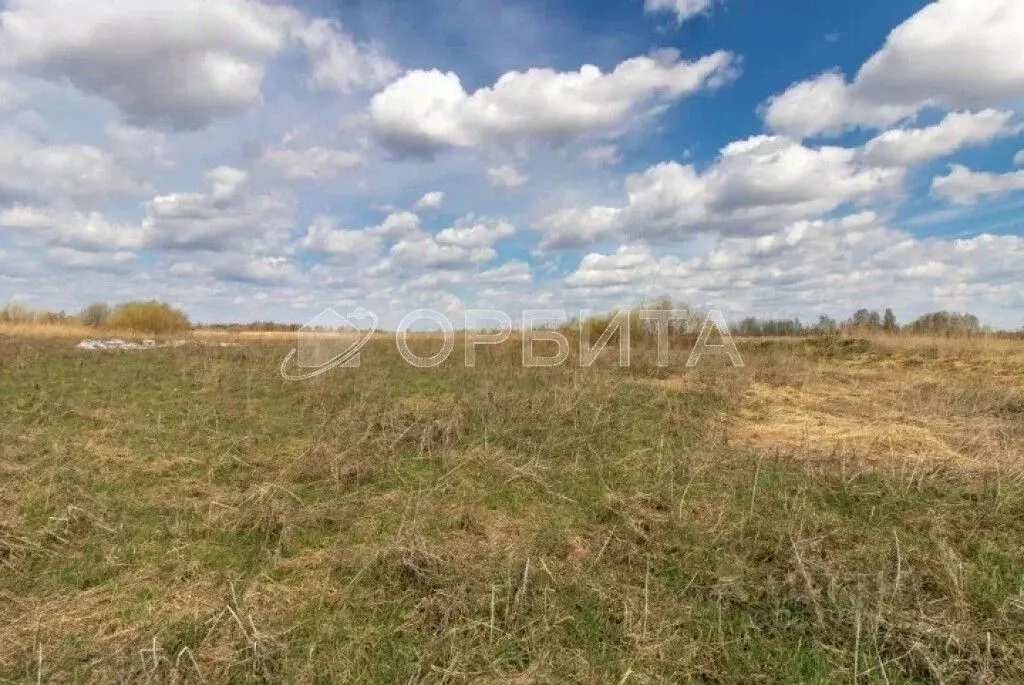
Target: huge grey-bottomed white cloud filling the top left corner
x=178, y=64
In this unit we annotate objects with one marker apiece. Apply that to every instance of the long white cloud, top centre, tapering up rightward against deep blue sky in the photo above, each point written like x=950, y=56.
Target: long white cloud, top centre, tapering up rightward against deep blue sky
x=428, y=111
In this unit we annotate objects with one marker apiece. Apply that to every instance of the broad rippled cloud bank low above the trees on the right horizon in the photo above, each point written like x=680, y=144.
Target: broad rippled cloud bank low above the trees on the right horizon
x=825, y=266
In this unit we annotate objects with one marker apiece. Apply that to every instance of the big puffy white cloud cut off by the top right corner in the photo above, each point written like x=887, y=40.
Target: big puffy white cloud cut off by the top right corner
x=915, y=70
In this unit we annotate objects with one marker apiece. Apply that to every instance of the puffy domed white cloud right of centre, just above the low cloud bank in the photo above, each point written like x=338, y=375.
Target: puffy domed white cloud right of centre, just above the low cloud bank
x=755, y=187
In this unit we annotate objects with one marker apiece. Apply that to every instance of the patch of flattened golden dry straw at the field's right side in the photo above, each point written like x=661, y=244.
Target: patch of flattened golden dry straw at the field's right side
x=953, y=402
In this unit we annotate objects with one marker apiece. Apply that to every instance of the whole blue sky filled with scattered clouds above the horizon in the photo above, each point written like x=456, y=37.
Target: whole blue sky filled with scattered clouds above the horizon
x=254, y=160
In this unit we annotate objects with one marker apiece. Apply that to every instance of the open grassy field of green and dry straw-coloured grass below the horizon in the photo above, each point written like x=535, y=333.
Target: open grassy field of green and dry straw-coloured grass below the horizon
x=835, y=511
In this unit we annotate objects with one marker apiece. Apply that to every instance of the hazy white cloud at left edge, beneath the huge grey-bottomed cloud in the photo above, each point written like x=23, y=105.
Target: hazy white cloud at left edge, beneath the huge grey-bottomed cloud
x=32, y=169
